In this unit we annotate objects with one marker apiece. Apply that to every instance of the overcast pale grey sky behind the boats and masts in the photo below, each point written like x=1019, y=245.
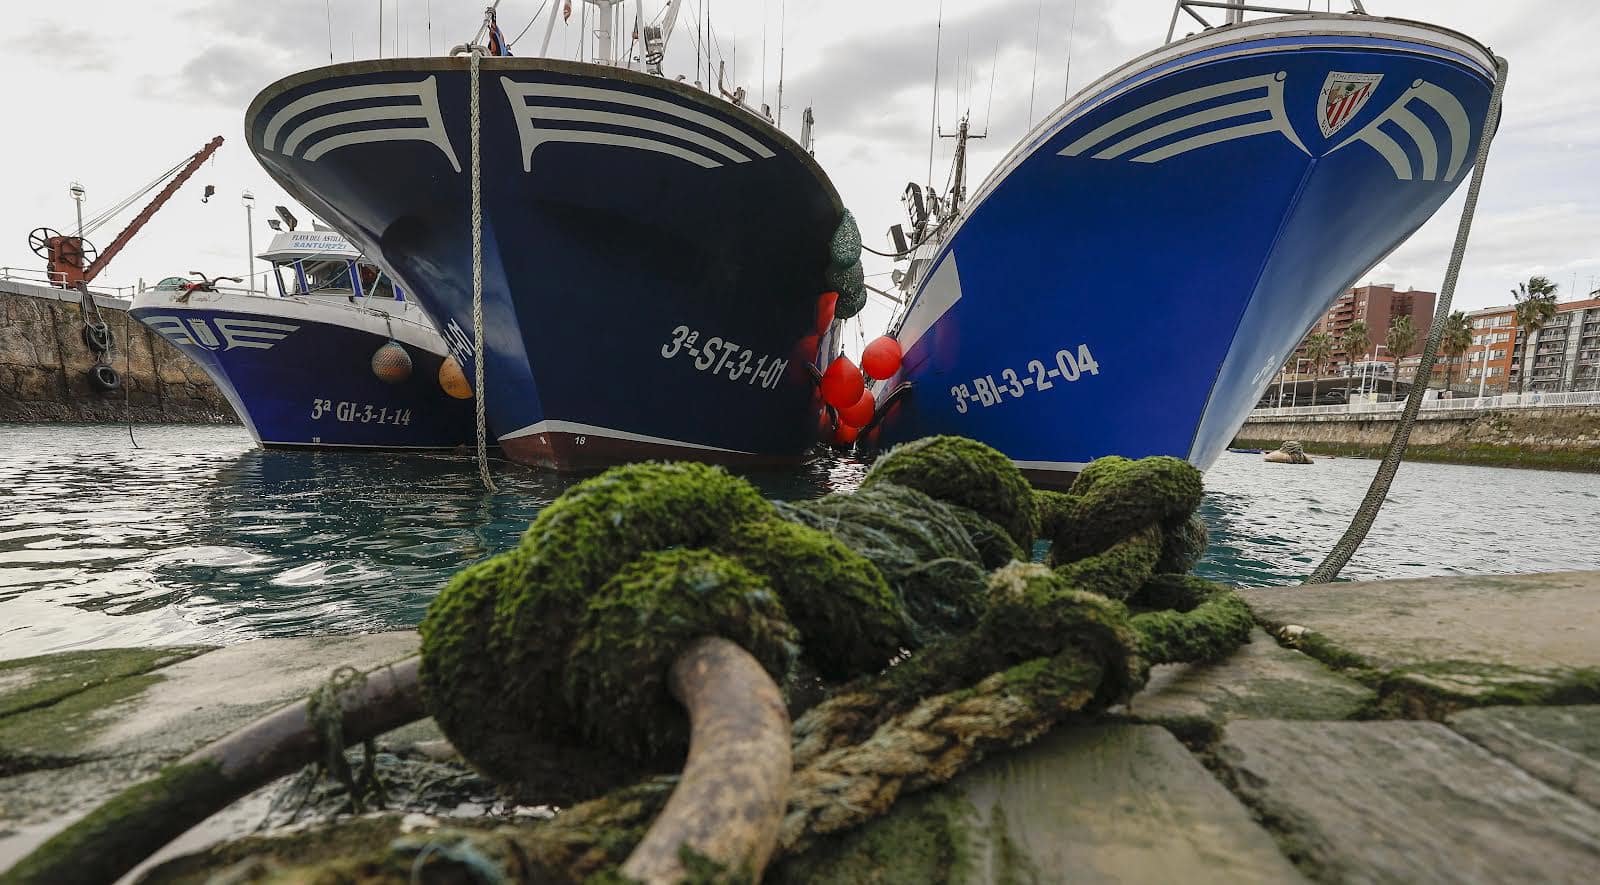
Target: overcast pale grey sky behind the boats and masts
x=113, y=94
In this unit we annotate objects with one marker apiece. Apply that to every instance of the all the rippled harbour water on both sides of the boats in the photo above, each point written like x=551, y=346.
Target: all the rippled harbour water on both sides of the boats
x=198, y=537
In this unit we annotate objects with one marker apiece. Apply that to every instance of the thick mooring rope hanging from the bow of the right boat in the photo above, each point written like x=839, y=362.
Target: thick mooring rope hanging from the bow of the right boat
x=1342, y=553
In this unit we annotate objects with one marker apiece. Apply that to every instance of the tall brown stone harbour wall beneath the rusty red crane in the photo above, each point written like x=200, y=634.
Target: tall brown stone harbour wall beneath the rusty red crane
x=46, y=366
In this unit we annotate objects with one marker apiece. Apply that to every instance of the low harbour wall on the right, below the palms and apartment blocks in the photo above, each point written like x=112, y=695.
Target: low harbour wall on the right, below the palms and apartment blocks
x=1551, y=438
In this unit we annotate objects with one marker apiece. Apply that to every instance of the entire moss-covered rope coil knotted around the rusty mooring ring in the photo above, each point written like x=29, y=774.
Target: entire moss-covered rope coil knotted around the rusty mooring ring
x=927, y=659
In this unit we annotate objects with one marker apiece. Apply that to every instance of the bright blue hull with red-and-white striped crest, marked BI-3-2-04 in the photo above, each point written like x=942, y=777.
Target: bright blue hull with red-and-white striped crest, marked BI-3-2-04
x=1134, y=274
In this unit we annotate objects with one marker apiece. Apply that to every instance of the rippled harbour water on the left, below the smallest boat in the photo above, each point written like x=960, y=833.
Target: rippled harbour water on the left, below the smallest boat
x=199, y=537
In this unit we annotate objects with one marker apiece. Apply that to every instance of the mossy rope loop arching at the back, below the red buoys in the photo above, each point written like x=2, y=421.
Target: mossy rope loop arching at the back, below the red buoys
x=967, y=475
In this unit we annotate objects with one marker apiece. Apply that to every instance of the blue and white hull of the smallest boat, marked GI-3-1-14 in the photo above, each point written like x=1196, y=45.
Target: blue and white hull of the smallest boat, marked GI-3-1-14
x=298, y=370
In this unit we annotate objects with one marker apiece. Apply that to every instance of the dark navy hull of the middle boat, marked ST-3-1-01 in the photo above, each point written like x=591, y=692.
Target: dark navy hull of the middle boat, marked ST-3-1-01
x=652, y=255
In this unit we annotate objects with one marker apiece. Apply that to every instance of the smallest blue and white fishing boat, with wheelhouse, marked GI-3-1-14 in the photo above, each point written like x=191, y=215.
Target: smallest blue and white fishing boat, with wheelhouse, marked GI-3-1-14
x=338, y=358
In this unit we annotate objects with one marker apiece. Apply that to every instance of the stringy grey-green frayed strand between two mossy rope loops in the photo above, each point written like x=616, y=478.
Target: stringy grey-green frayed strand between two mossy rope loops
x=918, y=543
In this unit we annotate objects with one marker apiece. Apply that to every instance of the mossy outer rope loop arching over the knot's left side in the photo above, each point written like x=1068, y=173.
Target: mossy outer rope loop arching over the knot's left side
x=577, y=545
